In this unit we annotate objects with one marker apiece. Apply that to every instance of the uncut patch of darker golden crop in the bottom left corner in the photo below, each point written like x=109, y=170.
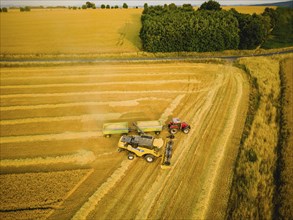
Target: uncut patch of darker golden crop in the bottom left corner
x=37, y=190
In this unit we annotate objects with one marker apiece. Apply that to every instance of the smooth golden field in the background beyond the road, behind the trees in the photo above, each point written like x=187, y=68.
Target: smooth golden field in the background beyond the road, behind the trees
x=63, y=31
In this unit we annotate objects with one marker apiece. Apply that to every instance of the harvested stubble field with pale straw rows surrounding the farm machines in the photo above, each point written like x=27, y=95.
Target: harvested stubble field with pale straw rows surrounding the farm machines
x=50, y=112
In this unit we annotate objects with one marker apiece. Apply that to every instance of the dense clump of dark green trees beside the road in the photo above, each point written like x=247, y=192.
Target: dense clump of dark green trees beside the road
x=171, y=28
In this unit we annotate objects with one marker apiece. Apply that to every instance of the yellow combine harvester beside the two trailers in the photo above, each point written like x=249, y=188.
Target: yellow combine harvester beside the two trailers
x=146, y=146
